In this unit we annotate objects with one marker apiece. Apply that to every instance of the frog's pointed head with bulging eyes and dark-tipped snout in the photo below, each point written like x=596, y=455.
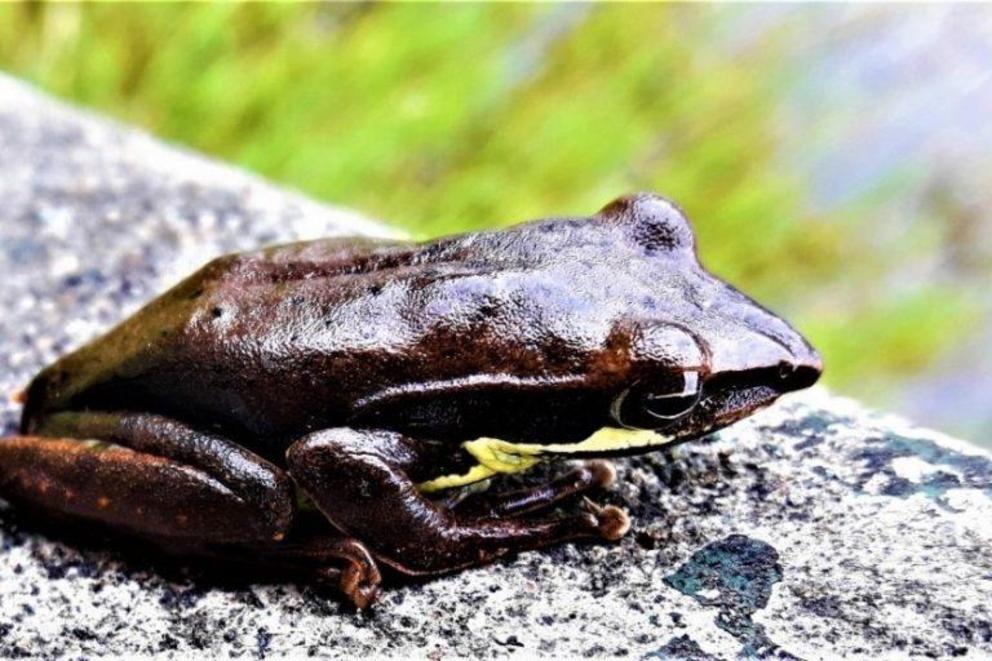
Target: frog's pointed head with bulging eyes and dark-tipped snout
x=701, y=354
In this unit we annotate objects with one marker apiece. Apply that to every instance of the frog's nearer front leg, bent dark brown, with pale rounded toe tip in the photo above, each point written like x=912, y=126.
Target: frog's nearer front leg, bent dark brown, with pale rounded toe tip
x=361, y=480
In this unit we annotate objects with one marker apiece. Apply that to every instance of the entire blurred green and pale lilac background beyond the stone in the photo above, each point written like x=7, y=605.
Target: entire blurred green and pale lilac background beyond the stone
x=836, y=159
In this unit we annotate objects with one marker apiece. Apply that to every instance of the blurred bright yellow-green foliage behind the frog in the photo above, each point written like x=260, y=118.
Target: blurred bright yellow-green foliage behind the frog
x=455, y=117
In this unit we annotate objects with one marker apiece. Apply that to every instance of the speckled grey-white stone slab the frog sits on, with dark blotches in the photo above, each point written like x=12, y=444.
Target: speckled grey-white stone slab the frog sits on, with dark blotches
x=813, y=529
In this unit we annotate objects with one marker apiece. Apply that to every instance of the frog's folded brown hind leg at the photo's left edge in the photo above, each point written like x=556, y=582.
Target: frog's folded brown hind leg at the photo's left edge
x=148, y=475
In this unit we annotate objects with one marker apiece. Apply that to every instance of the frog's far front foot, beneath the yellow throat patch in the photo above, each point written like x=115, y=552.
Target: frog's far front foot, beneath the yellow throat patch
x=593, y=474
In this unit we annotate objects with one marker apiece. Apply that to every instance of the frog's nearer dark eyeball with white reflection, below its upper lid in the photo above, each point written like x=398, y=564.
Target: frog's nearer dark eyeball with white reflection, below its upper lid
x=652, y=407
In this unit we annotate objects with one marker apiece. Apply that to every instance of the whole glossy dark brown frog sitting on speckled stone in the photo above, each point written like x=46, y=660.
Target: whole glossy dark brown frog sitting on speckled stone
x=375, y=381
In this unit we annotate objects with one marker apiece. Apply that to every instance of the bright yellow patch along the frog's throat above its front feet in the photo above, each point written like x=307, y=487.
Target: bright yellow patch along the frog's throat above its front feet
x=496, y=456
